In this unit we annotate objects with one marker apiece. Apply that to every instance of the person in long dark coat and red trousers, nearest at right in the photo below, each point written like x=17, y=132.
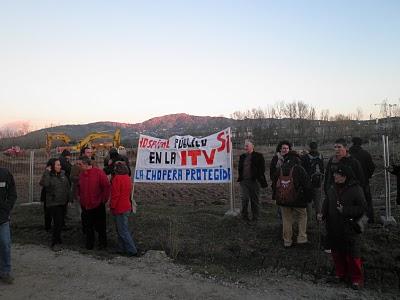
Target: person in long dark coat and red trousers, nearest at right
x=344, y=204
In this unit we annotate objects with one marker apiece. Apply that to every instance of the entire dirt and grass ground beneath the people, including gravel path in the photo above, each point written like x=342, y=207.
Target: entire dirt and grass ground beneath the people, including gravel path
x=208, y=256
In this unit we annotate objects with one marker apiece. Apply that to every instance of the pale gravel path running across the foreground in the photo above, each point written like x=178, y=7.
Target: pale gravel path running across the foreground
x=43, y=274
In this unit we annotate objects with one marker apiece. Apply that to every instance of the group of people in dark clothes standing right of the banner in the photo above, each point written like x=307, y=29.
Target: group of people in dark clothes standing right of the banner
x=299, y=182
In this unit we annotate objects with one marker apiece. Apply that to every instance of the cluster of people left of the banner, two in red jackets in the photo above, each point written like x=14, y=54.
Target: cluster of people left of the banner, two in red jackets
x=90, y=189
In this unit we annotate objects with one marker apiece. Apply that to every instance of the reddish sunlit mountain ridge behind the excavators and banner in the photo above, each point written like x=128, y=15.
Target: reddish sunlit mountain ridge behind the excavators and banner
x=164, y=126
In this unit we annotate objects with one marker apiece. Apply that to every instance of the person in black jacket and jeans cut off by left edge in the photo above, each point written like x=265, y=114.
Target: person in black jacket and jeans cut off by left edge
x=8, y=196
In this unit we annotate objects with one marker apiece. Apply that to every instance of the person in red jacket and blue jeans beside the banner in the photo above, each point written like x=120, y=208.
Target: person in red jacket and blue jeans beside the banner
x=120, y=206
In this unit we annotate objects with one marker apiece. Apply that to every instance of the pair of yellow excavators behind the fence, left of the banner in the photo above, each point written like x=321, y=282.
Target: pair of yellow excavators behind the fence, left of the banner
x=116, y=140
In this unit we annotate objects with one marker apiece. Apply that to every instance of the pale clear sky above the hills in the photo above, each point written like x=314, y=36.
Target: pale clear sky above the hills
x=70, y=62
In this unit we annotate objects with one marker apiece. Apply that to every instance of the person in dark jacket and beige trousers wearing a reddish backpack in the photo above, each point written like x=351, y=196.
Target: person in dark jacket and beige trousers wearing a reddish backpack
x=302, y=194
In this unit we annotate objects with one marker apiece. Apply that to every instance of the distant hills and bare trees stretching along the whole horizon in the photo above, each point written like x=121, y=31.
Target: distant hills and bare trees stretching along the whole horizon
x=262, y=130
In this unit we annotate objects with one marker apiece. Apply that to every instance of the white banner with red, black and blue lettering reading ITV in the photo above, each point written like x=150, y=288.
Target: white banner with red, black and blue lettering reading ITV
x=184, y=159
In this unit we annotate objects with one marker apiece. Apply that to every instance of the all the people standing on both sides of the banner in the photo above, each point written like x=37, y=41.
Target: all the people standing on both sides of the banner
x=338, y=191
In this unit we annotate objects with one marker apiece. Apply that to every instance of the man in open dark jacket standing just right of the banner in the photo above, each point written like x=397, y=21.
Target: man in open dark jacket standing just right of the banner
x=251, y=175
